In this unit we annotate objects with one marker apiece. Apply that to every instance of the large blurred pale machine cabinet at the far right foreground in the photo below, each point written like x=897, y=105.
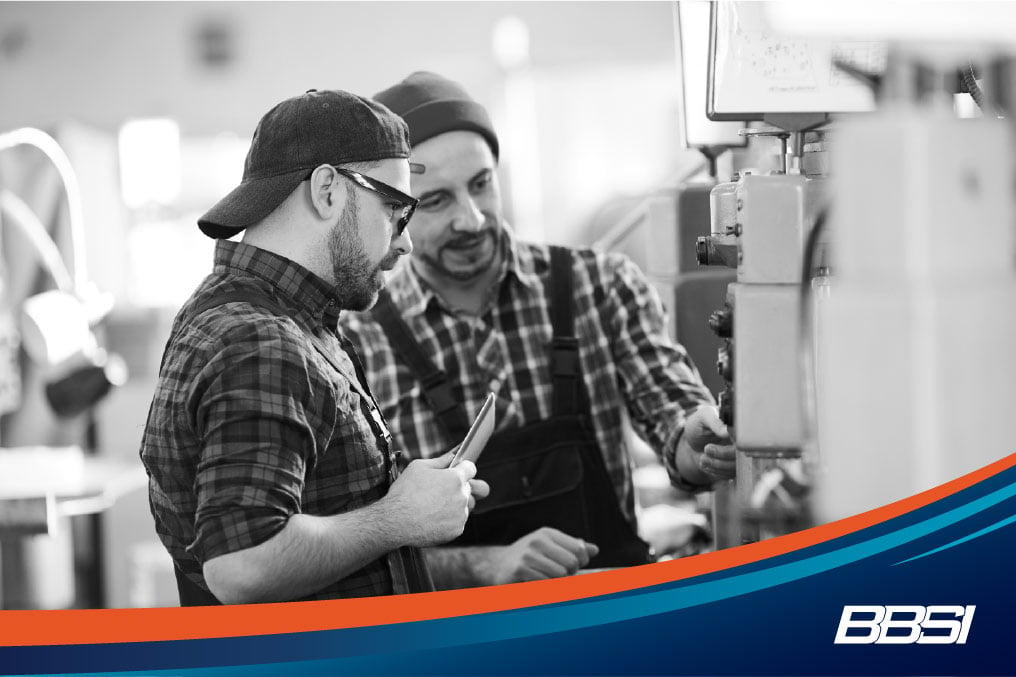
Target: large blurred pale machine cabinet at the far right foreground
x=917, y=378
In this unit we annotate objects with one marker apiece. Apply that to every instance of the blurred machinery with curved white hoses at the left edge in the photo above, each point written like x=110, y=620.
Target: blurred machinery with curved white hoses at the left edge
x=49, y=471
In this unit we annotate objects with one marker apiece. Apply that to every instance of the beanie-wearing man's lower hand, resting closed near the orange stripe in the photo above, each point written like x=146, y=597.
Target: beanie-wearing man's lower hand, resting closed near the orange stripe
x=545, y=553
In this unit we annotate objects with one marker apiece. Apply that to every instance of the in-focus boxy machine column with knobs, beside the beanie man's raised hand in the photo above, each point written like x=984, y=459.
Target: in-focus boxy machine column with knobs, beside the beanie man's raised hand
x=760, y=224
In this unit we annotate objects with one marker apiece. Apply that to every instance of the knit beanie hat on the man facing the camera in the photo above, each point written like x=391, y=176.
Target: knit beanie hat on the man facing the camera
x=433, y=105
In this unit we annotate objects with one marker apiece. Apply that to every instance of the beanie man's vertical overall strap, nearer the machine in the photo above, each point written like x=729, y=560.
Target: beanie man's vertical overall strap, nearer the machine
x=565, y=368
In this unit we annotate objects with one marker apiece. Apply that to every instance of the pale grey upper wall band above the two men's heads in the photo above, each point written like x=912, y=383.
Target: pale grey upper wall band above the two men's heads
x=100, y=64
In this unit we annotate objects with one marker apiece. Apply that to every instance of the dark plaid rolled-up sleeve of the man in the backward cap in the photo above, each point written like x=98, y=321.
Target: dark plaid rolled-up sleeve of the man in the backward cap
x=249, y=409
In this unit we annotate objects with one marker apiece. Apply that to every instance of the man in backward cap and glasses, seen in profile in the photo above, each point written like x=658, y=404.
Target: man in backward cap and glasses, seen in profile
x=272, y=472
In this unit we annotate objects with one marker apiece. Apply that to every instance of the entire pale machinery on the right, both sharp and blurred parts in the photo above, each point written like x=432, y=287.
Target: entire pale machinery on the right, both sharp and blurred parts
x=865, y=355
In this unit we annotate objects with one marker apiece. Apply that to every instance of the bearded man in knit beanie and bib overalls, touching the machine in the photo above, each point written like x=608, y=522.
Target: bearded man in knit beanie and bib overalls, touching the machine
x=566, y=339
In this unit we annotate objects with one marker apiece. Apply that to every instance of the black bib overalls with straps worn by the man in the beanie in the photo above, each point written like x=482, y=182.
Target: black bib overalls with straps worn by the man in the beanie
x=546, y=474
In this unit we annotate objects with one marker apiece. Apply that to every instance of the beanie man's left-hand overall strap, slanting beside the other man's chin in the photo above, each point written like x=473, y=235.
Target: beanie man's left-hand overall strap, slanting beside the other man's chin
x=435, y=383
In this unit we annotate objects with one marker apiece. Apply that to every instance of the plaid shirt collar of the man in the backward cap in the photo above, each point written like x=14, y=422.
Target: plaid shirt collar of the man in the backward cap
x=299, y=287
